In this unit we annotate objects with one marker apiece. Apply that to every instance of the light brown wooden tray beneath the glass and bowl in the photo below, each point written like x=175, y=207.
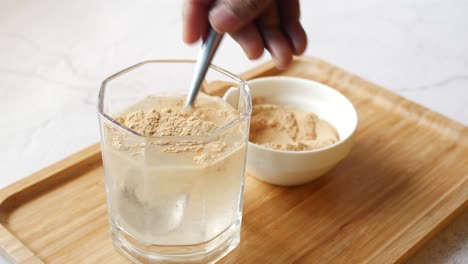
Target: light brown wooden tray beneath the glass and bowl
x=406, y=177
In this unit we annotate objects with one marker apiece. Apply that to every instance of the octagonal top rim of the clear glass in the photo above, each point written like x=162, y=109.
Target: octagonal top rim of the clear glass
x=242, y=86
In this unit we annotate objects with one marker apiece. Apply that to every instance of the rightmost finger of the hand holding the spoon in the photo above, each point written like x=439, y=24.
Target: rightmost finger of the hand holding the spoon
x=290, y=15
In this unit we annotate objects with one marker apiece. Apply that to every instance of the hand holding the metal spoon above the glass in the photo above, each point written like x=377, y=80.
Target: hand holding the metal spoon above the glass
x=255, y=24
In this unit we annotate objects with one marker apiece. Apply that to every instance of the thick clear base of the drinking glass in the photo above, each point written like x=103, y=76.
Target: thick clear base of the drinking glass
x=208, y=252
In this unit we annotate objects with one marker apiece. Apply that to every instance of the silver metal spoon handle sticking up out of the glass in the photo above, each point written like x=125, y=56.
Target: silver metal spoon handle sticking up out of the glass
x=207, y=53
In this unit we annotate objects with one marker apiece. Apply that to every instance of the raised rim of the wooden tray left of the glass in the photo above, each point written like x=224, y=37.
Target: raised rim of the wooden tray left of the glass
x=54, y=169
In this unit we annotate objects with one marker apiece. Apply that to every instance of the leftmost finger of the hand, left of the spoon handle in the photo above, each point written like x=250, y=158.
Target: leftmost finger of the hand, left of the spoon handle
x=195, y=19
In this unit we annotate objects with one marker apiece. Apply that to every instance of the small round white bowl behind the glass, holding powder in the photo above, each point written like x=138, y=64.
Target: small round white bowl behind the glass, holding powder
x=287, y=168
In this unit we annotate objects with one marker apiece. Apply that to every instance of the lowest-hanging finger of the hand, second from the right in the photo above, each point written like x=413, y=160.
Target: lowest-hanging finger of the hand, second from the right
x=275, y=40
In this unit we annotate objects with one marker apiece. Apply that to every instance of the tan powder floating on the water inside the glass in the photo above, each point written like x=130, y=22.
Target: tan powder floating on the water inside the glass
x=165, y=116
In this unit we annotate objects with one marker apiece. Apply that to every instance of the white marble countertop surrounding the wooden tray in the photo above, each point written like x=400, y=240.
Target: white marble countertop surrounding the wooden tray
x=54, y=54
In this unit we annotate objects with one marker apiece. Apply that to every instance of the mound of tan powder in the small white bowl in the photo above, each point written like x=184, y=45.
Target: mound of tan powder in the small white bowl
x=289, y=128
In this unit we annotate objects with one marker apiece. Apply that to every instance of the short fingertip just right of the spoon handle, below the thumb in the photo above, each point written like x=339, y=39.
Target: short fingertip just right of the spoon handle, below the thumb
x=250, y=40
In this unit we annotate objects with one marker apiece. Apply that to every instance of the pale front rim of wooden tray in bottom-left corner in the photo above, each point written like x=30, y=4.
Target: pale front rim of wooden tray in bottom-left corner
x=13, y=250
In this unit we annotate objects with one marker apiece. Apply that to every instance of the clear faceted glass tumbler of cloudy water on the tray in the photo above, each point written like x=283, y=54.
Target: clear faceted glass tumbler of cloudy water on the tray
x=179, y=206
